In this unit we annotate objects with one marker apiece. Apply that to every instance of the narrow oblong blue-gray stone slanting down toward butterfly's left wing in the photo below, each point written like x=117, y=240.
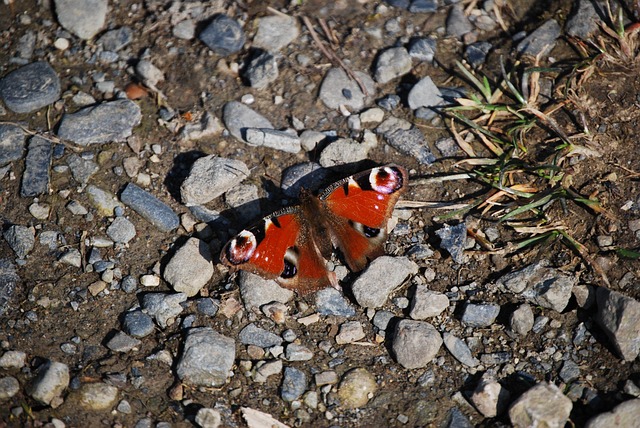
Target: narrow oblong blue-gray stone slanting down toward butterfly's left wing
x=150, y=208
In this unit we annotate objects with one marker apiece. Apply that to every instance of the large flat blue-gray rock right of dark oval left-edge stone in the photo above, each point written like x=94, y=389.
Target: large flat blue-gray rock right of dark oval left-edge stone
x=102, y=123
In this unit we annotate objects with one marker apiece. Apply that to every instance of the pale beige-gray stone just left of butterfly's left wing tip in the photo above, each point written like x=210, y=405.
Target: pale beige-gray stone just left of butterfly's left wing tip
x=190, y=268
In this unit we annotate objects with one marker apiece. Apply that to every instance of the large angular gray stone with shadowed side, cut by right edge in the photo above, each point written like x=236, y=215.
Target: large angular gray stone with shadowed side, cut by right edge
x=619, y=317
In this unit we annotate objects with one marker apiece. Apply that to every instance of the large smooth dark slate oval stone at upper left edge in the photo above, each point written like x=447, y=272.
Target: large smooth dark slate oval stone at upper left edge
x=30, y=88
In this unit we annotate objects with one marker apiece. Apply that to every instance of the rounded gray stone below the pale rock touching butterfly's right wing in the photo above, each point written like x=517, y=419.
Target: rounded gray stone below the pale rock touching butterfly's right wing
x=415, y=343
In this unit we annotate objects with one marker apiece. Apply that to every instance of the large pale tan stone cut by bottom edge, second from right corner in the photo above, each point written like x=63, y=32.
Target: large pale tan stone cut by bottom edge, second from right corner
x=543, y=405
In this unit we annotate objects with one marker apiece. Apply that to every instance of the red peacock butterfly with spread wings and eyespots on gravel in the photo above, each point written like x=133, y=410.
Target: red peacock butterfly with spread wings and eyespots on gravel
x=292, y=245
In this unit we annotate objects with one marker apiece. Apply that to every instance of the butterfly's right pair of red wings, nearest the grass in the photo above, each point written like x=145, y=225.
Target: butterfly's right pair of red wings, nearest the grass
x=358, y=208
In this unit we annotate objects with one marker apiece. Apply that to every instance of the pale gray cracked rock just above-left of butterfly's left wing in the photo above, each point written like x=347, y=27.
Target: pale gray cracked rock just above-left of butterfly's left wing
x=210, y=177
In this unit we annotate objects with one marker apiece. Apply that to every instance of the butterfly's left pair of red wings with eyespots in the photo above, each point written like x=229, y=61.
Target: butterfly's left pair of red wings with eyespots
x=279, y=247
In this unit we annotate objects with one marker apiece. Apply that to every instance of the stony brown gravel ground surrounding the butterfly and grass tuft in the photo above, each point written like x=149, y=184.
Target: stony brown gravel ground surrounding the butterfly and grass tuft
x=137, y=137
